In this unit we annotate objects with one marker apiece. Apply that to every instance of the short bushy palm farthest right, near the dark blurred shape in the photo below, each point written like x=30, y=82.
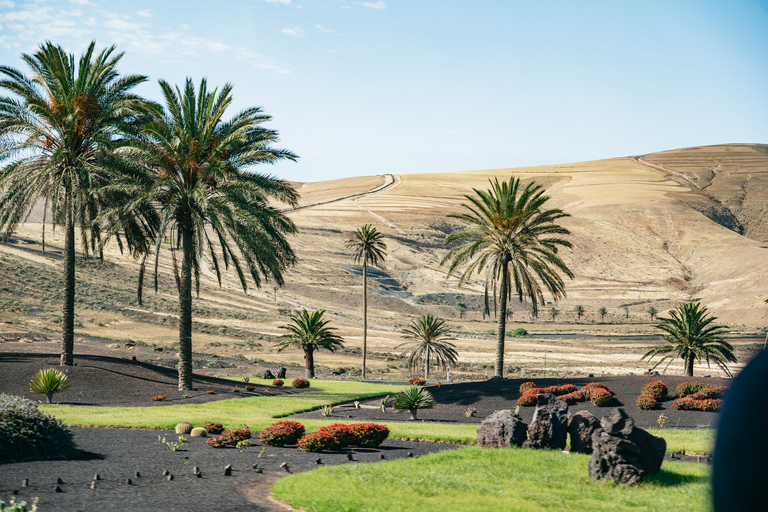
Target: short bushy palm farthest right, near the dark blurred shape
x=691, y=336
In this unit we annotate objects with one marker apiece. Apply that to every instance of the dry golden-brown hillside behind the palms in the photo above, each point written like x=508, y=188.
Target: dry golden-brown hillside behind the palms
x=649, y=230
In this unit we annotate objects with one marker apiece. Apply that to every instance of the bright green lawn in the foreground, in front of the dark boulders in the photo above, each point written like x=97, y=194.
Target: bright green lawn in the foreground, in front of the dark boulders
x=469, y=479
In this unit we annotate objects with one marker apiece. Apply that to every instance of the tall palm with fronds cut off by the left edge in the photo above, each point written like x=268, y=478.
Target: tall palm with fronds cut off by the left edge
x=58, y=129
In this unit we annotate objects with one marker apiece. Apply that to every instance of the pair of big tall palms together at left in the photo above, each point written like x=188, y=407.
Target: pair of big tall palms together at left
x=119, y=166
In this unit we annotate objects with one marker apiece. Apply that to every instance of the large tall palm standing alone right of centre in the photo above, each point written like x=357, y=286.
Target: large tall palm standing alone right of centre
x=512, y=239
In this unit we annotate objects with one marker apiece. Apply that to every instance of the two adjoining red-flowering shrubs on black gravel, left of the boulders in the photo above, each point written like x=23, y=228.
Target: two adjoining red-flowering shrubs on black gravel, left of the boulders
x=329, y=437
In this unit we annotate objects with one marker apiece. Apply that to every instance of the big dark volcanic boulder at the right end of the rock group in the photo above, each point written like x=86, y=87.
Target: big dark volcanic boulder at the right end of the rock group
x=624, y=453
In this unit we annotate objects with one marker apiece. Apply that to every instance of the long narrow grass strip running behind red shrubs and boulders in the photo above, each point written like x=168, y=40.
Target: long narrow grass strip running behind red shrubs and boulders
x=260, y=412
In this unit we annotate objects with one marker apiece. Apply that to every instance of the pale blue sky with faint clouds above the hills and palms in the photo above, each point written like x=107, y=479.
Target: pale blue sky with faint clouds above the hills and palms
x=386, y=86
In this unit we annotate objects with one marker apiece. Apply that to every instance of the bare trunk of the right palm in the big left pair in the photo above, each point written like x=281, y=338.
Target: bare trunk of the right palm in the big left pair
x=185, y=312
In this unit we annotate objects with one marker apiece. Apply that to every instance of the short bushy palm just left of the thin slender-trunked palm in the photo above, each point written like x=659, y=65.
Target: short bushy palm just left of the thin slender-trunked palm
x=310, y=332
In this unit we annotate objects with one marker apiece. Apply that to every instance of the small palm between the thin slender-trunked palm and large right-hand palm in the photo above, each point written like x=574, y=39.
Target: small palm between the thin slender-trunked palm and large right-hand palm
x=428, y=335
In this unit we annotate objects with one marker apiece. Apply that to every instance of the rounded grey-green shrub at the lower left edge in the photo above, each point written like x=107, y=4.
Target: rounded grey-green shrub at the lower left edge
x=26, y=433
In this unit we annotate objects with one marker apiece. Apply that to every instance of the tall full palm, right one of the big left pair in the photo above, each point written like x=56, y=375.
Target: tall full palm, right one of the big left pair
x=200, y=186
